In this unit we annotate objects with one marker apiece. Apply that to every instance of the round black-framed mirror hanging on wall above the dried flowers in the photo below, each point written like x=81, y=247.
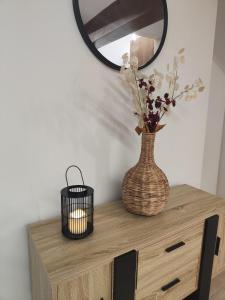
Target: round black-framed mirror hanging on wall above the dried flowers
x=111, y=28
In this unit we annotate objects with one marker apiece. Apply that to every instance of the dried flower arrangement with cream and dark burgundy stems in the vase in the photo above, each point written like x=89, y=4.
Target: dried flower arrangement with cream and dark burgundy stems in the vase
x=150, y=108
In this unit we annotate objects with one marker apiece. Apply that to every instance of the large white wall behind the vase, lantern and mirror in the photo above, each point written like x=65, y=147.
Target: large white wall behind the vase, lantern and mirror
x=60, y=105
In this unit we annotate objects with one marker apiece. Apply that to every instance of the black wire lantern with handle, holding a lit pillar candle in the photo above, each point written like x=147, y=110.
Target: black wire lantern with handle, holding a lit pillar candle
x=77, y=209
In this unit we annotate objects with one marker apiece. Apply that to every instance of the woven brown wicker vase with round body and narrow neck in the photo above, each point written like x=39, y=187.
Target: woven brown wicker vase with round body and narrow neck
x=145, y=188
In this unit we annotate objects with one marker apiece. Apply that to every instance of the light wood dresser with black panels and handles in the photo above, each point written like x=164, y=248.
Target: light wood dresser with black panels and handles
x=169, y=256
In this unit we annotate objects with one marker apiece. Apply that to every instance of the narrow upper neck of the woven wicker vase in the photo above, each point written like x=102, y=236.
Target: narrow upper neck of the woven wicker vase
x=147, y=148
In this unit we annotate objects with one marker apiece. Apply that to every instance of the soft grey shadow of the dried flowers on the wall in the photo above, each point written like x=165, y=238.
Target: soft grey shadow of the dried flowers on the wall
x=114, y=115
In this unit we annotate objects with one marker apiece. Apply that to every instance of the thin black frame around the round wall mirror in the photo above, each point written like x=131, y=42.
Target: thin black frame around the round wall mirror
x=102, y=58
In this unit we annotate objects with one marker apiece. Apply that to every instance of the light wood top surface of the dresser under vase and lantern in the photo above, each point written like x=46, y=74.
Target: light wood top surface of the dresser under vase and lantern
x=116, y=231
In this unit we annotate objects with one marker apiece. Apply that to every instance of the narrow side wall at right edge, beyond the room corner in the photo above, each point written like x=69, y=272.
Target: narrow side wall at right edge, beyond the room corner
x=216, y=110
